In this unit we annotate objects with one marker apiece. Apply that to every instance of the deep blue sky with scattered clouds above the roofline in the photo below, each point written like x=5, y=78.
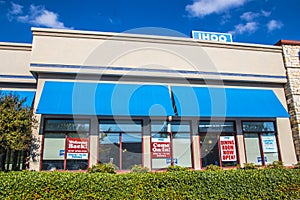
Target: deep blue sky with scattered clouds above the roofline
x=250, y=21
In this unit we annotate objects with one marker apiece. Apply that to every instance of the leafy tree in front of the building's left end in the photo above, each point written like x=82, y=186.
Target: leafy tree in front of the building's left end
x=16, y=124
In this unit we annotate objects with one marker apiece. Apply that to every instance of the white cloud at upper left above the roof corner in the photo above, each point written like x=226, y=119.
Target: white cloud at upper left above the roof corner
x=39, y=16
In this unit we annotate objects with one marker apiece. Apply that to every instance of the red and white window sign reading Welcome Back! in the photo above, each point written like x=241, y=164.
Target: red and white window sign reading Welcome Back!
x=77, y=148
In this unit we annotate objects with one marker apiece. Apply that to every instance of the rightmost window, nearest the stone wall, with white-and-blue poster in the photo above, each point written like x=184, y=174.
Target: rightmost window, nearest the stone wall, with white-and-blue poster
x=260, y=142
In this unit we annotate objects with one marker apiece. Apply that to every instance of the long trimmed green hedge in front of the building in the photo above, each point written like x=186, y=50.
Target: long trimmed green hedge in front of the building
x=226, y=184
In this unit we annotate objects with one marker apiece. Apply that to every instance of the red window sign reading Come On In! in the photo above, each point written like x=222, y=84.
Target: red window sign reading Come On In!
x=161, y=149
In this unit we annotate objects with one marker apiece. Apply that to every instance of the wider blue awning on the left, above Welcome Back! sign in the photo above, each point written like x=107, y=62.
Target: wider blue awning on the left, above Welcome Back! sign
x=105, y=99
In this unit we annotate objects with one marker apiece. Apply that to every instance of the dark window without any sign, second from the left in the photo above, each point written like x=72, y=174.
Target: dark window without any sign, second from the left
x=120, y=143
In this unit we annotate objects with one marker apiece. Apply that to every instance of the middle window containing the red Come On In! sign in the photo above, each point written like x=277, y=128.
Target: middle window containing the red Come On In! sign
x=170, y=141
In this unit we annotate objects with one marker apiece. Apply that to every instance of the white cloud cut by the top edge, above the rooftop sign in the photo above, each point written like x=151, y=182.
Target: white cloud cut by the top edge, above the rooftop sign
x=201, y=8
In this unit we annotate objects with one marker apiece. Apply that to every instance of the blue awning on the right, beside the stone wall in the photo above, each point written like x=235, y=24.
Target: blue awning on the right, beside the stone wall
x=227, y=102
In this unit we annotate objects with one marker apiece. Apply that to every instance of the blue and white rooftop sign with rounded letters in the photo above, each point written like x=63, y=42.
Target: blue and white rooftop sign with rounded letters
x=212, y=36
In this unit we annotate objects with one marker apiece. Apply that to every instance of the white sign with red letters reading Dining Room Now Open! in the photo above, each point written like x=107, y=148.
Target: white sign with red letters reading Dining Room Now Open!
x=228, y=151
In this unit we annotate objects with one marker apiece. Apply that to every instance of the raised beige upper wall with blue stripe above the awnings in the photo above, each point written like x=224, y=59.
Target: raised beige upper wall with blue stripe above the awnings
x=157, y=53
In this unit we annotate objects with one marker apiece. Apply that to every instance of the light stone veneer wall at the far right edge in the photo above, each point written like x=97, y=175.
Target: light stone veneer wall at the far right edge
x=291, y=56
